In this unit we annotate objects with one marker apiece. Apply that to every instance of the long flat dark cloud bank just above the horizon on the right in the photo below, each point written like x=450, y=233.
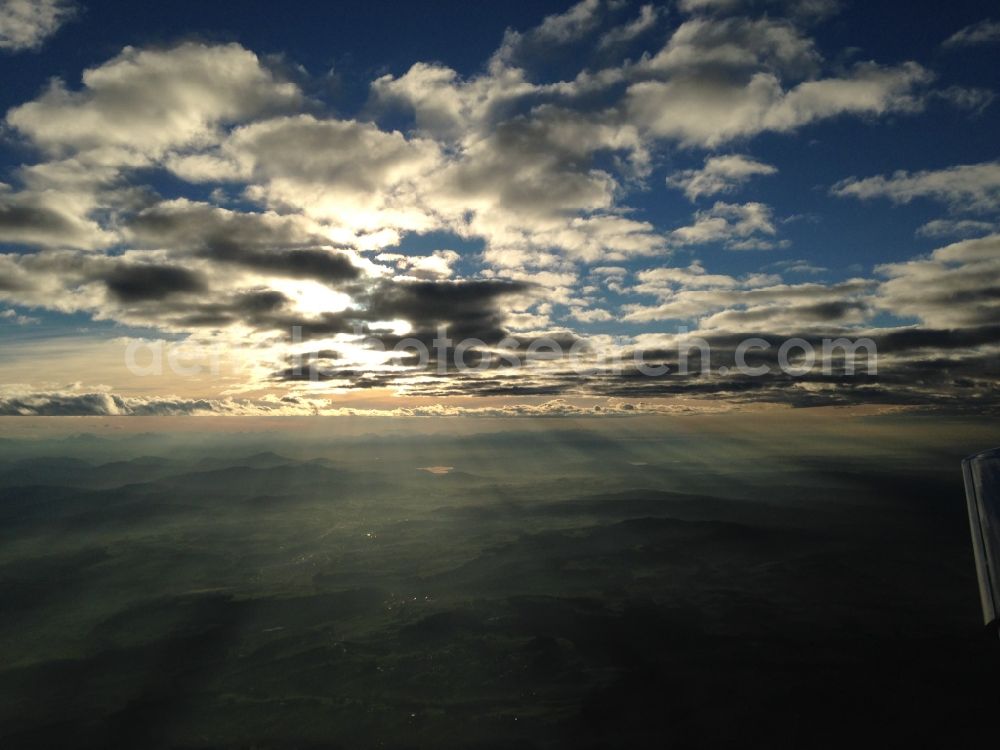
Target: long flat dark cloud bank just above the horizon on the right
x=905, y=374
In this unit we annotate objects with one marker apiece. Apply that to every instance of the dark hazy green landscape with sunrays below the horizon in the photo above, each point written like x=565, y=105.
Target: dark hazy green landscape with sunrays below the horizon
x=579, y=584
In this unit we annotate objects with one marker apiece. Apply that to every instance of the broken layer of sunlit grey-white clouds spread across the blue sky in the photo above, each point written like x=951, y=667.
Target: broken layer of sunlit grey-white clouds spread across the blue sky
x=196, y=192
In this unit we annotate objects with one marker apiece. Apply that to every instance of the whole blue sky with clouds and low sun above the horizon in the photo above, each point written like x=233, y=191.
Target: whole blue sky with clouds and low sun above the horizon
x=265, y=209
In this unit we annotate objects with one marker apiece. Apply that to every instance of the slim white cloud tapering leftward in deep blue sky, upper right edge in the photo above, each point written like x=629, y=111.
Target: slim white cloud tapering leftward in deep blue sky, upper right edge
x=968, y=187
